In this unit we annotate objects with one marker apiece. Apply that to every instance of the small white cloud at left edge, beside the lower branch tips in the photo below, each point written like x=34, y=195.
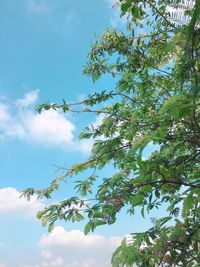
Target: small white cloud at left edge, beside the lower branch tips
x=12, y=204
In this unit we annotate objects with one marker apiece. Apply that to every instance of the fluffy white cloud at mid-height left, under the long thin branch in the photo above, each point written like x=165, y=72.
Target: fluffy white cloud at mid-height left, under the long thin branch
x=49, y=128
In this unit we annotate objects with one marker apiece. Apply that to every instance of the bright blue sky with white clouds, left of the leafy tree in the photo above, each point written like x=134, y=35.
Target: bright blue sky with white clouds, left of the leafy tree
x=43, y=48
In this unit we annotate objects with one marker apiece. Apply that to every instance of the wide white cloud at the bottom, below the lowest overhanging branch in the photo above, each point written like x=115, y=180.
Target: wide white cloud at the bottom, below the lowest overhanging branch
x=74, y=249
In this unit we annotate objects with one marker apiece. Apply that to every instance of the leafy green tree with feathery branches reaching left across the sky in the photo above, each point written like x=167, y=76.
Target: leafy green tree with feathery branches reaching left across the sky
x=155, y=101
